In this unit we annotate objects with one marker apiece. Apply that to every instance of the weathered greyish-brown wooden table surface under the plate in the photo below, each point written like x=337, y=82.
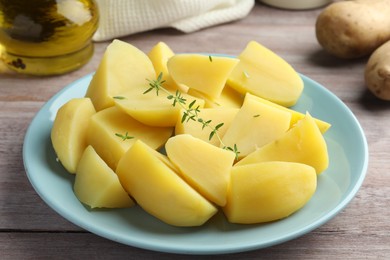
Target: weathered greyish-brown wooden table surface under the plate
x=29, y=229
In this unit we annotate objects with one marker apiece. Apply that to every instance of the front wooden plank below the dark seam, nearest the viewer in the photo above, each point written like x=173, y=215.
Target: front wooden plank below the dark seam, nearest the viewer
x=321, y=244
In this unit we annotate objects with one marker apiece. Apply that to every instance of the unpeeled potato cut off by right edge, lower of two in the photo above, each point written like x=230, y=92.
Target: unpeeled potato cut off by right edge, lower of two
x=377, y=72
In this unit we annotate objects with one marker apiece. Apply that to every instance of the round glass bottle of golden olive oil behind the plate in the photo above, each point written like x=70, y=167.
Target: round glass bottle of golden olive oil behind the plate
x=47, y=37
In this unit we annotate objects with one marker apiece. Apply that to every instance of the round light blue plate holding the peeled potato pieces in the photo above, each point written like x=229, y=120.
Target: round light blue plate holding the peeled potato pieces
x=336, y=187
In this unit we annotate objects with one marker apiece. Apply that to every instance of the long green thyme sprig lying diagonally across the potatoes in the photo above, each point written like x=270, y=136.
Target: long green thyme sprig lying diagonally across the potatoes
x=191, y=112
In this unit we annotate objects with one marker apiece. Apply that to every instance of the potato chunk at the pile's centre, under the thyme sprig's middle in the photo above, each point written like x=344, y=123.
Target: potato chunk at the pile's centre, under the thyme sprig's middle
x=216, y=115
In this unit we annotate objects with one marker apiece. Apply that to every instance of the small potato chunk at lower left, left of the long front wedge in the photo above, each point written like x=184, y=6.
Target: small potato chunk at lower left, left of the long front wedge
x=97, y=185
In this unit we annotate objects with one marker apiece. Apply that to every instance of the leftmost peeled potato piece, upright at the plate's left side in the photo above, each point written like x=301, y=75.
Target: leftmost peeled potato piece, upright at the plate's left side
x=69, y=132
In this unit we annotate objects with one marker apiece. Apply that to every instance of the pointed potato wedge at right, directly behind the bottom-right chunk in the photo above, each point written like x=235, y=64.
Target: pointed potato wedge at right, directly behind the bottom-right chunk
x=303, y=143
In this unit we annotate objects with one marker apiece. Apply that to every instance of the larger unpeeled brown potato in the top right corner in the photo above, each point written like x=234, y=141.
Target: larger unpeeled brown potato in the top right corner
x=353, y=29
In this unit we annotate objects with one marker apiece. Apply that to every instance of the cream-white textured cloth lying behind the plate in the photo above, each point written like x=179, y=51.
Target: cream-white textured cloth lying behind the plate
x=124, y=17
